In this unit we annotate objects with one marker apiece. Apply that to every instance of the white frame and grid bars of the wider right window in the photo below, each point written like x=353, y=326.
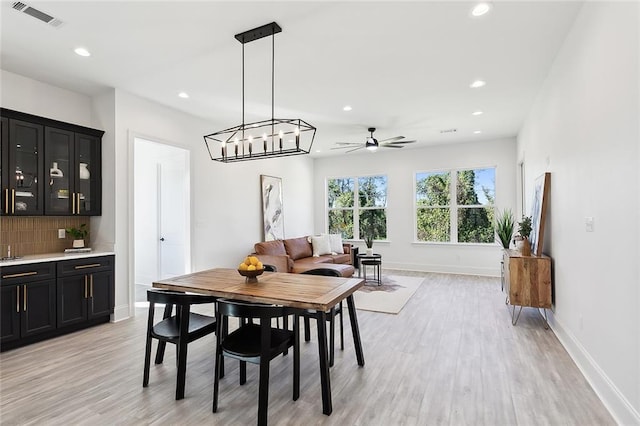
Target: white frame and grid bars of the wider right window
x=453, y=205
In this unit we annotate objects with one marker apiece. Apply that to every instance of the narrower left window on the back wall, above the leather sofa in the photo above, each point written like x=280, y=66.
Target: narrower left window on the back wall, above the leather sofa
x=357, y=206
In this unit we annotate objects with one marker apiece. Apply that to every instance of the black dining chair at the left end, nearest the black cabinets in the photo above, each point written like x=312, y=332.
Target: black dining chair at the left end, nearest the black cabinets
x=180, y=329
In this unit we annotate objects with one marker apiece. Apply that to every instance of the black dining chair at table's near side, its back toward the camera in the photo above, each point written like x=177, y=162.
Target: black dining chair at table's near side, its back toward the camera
x=256, y=344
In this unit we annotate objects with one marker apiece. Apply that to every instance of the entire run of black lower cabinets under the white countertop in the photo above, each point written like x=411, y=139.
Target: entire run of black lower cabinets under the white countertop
x=43, y=300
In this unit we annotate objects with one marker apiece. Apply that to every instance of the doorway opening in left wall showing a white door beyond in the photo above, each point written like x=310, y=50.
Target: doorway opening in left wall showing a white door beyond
x=161, y=213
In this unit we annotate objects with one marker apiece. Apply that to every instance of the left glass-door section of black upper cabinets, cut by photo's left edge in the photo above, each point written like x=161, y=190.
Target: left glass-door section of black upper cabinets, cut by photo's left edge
x=22, y=144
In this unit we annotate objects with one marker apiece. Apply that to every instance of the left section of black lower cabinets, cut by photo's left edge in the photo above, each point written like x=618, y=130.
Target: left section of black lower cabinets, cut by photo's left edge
x=28, y=301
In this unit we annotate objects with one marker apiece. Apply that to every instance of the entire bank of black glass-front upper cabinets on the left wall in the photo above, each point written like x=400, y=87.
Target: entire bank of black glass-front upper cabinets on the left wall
x=49, y=167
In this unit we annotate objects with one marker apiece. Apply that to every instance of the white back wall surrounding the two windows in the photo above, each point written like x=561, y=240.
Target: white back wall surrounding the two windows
x=401, y=252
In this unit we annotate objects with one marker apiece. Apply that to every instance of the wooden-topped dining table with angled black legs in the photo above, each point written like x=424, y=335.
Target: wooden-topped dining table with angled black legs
x=299, y=291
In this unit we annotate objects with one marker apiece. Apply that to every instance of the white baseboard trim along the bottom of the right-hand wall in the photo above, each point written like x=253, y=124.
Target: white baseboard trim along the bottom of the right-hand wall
x=618, y=405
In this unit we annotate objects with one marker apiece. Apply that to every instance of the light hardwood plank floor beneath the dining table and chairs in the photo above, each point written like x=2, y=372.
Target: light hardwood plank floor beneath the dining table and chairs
x=450, y=357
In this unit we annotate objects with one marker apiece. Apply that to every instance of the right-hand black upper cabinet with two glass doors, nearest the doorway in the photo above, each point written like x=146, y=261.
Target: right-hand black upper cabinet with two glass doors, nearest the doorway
x=73, y=181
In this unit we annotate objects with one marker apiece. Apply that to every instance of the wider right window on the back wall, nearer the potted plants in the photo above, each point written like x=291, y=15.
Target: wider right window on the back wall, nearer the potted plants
x=455, y=206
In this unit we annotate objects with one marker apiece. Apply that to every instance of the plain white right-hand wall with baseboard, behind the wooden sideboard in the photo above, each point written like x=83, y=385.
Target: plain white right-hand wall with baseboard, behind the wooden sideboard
x=584, y=129
